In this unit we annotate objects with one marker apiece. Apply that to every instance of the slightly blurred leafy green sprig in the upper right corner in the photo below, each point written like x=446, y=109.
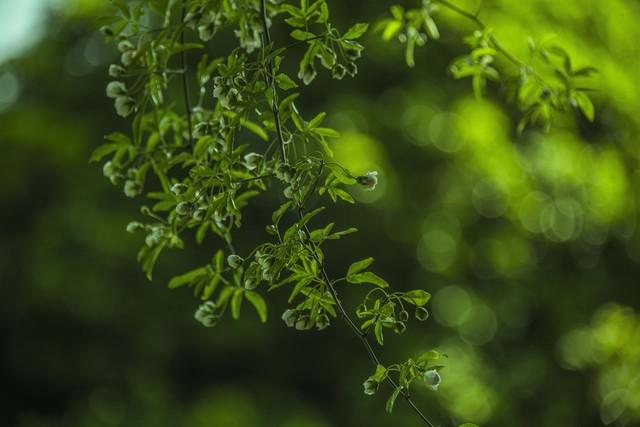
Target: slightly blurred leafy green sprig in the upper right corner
x=545, y=84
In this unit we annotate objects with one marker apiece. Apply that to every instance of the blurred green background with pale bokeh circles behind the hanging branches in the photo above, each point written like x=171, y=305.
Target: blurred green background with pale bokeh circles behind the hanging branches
x=529, y=244
